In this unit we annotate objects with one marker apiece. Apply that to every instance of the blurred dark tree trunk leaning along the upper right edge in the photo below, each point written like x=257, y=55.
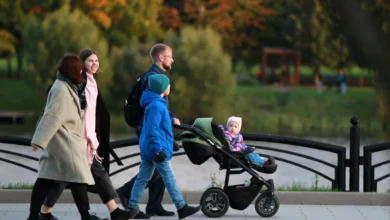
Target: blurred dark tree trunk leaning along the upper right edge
x=372, y=43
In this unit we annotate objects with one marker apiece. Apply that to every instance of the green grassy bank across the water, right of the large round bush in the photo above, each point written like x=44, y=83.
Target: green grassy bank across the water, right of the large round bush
x=301, y=111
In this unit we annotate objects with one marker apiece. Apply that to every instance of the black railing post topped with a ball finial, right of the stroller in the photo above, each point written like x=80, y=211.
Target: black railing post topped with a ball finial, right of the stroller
x=354, y=153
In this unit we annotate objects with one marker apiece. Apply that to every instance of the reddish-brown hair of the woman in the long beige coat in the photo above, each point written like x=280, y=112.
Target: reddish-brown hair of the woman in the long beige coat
x=70, y=66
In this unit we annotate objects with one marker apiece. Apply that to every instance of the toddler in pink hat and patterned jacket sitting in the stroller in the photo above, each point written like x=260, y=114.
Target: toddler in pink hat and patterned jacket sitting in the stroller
x=236, y=142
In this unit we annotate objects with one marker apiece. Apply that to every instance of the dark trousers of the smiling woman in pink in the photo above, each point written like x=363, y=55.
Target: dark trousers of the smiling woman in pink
x=103, y=186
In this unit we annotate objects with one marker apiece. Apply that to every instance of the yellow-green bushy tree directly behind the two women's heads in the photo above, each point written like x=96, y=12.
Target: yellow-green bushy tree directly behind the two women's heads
x=62, y=31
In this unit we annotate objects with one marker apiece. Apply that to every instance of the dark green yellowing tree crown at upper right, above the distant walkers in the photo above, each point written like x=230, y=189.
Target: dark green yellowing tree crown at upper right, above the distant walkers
x=312, y=27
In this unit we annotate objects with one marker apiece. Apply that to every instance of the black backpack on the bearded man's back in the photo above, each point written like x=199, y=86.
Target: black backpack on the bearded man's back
x=132, y=109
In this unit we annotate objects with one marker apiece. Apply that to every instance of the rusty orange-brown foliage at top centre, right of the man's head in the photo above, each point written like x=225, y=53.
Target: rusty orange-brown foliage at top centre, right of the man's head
x=233, y=20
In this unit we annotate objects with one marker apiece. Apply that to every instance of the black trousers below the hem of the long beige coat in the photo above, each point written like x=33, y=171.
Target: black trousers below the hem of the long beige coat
x=41, y=190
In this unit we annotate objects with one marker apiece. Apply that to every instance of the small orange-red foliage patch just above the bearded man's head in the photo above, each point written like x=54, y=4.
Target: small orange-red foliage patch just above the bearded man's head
x=170, y=18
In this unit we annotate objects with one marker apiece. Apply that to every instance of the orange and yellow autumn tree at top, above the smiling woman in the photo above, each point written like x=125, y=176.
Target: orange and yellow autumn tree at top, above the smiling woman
x=121, y=20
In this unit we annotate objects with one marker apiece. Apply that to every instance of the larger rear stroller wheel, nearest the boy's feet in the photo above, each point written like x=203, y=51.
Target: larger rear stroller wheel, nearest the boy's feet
x=214, y=202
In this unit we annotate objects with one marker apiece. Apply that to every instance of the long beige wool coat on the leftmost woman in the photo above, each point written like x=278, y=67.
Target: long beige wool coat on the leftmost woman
x=59, y=133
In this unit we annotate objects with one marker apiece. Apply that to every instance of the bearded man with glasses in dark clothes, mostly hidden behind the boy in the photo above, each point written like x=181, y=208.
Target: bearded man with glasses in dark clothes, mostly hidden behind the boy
x=162, y=59
